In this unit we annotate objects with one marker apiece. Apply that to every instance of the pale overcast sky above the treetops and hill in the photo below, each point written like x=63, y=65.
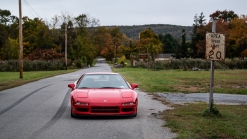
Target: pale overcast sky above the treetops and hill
x=126, y=12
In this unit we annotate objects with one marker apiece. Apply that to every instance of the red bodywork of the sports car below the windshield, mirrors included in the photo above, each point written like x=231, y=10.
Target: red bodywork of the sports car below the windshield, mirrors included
x=104, y=101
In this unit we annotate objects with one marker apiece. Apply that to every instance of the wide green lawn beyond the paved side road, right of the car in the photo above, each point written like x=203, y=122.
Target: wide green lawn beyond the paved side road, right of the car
x=225, y=81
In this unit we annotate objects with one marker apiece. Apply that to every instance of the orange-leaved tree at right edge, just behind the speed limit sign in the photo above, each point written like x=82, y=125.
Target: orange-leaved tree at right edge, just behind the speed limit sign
x=234, y=28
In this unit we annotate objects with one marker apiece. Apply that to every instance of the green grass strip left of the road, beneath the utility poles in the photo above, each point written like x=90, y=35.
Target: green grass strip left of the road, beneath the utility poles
x=12, y=79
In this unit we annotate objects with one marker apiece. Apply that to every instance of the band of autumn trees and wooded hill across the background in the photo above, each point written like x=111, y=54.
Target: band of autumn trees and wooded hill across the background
x=86, y=39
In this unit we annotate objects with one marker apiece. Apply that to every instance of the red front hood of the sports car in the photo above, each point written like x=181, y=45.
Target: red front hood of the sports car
x=105, y=95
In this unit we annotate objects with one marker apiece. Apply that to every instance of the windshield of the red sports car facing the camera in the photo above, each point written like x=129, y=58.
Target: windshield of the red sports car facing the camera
x=103, y=81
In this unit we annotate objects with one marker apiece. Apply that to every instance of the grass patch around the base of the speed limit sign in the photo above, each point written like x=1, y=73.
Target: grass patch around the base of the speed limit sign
x=189, y=123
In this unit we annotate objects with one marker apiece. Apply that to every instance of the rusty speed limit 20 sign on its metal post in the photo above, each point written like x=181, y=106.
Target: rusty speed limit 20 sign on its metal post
x=215, y=50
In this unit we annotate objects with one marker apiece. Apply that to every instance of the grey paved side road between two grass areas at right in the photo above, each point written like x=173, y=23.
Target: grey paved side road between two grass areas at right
x=181, y=98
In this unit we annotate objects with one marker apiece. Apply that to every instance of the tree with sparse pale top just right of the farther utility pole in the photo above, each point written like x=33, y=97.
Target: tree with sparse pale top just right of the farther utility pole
x=82, y=43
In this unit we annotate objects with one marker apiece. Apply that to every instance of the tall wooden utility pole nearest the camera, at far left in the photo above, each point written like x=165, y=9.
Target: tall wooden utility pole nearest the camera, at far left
x=20, y=41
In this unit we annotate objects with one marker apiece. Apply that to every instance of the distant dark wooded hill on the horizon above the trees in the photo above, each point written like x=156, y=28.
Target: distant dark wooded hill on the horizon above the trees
x=175, y=30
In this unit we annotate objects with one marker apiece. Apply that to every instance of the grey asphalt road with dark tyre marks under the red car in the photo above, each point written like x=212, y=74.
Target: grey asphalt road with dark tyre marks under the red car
x=41, y=110
